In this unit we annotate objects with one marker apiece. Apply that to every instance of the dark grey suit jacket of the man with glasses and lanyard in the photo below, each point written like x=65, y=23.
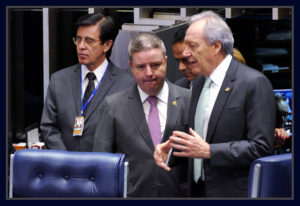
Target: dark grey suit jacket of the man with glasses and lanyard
x=63, y=104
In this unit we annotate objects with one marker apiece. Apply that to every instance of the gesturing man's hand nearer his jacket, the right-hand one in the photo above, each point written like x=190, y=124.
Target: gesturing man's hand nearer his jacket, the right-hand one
x=189, y=145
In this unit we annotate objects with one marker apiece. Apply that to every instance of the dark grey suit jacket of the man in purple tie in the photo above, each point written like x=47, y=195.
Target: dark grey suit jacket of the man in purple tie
x=123, y=128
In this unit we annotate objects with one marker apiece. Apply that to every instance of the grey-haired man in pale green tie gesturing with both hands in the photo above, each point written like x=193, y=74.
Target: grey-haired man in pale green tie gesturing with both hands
x=233, y=126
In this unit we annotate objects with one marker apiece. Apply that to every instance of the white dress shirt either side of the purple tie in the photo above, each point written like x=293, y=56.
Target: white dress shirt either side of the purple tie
x=162, y=105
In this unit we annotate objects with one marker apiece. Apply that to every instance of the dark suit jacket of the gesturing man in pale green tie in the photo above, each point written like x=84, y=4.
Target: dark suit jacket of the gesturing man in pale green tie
x=240, y=129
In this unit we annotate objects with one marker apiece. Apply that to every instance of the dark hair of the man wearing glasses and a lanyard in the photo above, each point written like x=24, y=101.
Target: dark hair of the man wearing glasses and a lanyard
x=108, y=30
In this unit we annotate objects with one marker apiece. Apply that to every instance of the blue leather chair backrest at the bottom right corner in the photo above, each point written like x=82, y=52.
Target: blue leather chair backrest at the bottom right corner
x=271, y=176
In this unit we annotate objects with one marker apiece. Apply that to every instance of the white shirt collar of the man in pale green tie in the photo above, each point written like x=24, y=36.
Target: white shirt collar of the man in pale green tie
x=219, y=73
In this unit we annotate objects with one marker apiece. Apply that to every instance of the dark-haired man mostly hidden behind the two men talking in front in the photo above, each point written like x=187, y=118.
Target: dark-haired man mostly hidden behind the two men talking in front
x=184, y=63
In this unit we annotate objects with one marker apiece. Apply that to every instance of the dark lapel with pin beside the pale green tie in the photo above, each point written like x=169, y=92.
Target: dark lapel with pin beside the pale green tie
x=225, y=91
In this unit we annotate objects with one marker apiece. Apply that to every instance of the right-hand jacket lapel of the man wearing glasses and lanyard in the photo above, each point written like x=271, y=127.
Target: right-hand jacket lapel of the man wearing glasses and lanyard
x=107, y=81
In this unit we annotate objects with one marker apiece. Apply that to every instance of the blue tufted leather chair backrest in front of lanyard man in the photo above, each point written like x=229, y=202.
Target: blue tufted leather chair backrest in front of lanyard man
x=53, y=173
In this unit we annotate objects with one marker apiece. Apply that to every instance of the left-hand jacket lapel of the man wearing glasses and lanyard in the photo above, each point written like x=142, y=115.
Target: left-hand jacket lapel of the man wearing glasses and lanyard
x=76, y=88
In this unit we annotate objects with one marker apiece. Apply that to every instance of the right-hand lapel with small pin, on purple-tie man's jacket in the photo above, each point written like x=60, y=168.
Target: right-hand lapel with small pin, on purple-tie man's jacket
x=173, y=112
